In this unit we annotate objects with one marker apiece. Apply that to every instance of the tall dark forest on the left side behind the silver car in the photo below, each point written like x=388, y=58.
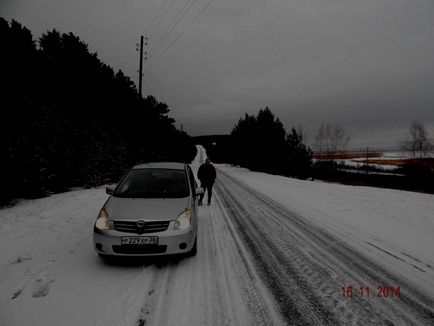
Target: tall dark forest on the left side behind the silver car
x=69, y=120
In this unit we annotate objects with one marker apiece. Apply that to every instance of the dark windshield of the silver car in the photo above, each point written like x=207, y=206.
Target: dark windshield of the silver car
x=153, y=183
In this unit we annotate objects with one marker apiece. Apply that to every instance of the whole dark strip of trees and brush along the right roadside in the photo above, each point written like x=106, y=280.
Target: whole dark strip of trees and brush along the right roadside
x=260, y=143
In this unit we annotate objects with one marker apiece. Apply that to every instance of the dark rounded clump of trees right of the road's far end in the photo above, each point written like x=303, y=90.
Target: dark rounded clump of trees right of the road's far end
x=261, y=143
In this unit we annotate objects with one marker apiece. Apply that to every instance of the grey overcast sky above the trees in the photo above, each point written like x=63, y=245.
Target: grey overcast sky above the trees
x=365, y=64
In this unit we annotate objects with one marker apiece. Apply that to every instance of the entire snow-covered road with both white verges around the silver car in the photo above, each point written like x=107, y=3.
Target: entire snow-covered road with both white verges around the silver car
x=271, y=251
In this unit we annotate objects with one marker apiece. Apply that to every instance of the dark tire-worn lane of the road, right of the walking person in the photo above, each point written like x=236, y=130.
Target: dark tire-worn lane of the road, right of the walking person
x=305, y=267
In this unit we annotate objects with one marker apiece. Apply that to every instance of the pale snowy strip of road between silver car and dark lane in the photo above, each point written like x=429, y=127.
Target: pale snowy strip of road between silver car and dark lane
x=217, y=287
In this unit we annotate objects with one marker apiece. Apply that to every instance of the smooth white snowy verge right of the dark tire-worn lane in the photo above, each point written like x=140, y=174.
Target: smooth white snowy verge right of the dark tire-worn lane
x=400, y=222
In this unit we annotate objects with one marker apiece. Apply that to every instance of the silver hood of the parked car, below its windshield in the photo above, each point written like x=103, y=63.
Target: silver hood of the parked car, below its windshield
x=161, y=209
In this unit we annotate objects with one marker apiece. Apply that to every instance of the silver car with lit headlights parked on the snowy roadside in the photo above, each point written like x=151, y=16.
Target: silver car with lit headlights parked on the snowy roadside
x=152, y=211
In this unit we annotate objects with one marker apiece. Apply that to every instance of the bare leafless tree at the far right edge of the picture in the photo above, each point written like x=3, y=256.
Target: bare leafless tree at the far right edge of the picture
x=417, y=142
